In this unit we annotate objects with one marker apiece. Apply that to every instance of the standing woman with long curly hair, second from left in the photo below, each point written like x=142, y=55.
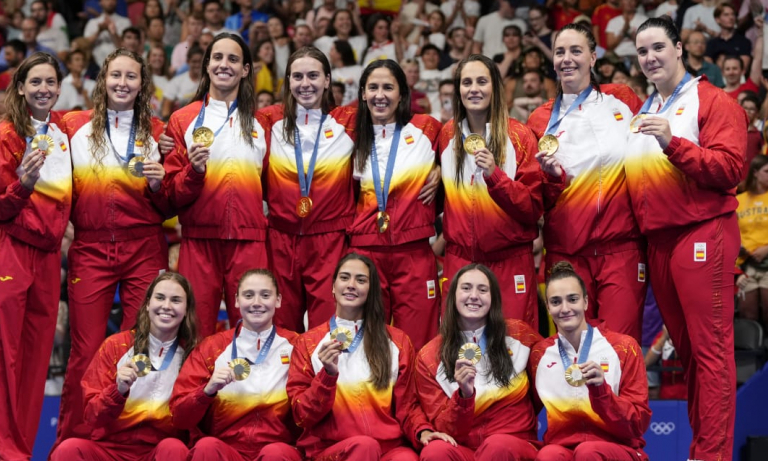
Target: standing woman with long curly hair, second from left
x=118, y=209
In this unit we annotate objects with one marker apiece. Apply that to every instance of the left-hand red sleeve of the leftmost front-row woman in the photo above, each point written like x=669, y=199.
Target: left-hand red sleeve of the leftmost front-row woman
x=103, y=402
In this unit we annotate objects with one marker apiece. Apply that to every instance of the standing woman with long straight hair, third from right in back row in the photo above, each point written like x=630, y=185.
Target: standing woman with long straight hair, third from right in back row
x=493, y=192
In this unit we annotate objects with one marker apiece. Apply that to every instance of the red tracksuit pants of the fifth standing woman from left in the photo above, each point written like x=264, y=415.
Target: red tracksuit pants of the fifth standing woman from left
x=410, y=288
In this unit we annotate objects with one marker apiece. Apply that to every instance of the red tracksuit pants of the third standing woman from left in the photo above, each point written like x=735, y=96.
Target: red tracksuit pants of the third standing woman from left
x=214, y=267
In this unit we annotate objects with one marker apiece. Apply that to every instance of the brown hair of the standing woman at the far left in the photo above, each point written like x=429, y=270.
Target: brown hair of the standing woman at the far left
x=15, y=104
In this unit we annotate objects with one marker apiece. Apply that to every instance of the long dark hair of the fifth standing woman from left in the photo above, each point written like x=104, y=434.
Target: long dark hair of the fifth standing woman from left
x=365, y=135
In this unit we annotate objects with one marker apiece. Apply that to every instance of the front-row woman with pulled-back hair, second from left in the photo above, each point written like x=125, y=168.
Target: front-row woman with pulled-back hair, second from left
x=233, y=385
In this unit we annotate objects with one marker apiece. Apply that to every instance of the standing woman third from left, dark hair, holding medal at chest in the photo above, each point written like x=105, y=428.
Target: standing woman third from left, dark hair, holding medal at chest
x=214, y=179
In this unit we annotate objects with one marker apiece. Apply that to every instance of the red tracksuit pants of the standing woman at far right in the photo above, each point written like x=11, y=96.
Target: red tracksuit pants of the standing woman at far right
x=692, y=273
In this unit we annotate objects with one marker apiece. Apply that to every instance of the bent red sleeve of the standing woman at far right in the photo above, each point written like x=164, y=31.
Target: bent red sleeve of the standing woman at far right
x=717, y=162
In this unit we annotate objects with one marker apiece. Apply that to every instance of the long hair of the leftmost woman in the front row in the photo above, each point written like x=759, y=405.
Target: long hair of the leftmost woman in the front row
x=187, y=335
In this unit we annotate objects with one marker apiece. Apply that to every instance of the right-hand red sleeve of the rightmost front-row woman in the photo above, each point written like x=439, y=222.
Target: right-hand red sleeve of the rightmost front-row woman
x=626, y=415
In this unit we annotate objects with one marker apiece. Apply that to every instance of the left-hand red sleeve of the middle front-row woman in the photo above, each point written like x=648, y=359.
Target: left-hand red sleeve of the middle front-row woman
x=311, y=395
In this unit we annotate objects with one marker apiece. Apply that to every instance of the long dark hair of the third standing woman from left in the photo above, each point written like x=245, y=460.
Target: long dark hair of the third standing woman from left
x=246, y=93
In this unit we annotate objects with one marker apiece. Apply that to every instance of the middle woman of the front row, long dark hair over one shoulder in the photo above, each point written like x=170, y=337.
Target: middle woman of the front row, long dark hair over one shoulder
x=354, y=396
